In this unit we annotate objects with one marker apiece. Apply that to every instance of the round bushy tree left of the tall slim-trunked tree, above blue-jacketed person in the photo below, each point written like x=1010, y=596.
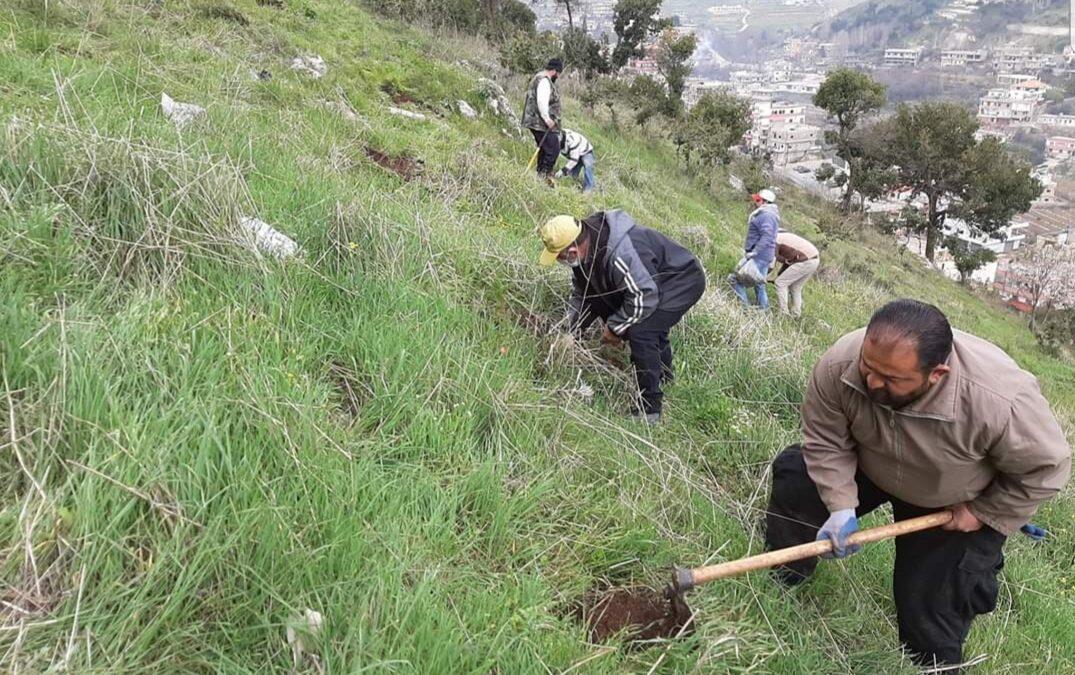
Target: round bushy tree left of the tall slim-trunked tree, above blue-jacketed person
x=715, y=124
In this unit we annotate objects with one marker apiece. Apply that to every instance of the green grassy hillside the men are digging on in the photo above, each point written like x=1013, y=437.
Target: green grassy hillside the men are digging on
x=199, y=443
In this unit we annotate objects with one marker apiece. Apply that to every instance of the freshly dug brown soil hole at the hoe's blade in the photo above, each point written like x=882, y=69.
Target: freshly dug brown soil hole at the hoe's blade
x=639, y=614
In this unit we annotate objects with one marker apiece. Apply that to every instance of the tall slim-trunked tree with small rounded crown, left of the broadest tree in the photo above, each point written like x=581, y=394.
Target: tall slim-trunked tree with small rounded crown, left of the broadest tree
x=849, y=96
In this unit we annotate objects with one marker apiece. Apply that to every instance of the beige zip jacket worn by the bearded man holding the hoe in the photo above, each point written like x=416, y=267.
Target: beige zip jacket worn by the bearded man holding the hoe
x=983, y=435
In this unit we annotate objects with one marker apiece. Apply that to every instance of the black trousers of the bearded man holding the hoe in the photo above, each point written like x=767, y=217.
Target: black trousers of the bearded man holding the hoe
x=941, y=581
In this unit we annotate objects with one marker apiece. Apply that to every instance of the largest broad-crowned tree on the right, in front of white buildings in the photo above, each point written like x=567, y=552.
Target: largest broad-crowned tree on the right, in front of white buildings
x=934, y=147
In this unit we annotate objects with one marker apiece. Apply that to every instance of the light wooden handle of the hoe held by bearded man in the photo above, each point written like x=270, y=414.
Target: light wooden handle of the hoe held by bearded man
x=685, y=580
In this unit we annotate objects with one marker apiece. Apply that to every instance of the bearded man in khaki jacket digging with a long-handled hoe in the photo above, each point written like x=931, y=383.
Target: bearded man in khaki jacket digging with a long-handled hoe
x=912, y=413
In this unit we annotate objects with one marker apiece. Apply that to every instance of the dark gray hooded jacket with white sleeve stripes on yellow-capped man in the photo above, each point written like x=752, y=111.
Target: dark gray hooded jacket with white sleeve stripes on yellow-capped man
x=630, y=272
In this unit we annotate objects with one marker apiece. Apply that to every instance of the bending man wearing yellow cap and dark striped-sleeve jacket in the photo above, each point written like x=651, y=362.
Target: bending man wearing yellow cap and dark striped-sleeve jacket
x=638, y=281
